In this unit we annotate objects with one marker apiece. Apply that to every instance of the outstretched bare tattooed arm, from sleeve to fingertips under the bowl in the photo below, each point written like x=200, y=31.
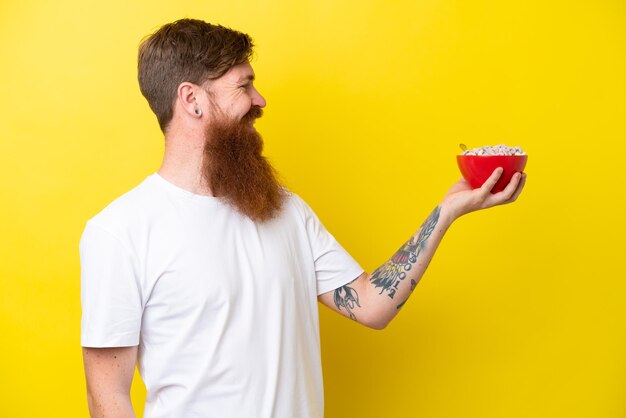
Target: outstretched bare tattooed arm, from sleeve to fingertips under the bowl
x=375, y=299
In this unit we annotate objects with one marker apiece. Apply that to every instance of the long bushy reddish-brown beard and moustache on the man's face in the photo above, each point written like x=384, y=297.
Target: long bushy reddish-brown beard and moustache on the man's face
x=237, y=172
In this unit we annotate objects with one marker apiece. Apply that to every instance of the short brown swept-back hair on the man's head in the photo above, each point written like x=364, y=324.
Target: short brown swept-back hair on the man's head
x=188, y=50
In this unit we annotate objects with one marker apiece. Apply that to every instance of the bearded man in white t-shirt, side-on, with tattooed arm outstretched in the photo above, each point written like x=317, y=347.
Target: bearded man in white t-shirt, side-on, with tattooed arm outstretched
x=208, y=273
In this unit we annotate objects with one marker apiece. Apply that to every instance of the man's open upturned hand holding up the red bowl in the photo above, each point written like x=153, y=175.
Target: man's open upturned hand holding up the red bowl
x=462, y=199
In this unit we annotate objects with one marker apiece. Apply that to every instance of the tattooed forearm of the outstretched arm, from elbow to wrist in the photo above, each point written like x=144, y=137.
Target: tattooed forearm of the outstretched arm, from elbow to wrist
x=389, y=287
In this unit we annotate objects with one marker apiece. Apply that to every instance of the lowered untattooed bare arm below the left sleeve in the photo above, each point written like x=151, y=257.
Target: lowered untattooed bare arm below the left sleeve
x=109, y=374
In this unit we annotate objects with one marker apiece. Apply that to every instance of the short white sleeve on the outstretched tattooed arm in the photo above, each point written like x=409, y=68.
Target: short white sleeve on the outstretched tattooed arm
x=334, y=266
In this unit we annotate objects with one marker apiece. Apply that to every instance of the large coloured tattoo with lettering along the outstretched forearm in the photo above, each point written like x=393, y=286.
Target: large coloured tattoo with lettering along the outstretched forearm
x=390, y=274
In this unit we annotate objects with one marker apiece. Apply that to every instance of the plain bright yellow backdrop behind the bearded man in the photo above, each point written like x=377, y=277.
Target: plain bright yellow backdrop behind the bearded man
x=522, y=311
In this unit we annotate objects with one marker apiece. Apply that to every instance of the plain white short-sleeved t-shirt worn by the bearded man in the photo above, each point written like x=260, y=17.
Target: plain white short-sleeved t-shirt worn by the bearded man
x=224, y=310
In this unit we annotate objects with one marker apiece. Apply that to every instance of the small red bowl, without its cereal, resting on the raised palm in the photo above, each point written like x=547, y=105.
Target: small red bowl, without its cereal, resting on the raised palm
x=477, y=168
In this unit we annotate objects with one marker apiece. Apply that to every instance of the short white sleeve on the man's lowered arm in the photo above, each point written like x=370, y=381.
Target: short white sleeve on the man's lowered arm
x=110, y=291
